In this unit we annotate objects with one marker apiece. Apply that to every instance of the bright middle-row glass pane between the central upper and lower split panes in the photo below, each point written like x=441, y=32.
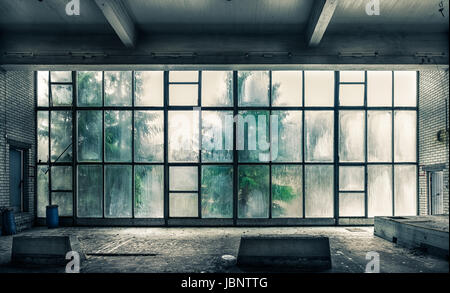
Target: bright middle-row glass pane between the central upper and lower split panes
x=183, y=136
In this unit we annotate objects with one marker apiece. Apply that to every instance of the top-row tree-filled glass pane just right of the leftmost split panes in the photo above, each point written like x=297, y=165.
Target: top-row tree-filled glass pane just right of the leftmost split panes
x=89, y=88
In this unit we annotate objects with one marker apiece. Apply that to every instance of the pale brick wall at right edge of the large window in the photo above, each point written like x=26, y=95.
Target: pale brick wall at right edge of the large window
x=432, y=111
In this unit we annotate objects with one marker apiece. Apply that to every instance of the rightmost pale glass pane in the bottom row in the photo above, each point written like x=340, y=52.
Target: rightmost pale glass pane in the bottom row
x=405, y=191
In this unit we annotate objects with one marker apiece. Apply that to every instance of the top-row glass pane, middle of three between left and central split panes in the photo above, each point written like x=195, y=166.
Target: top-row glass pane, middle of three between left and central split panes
x=117, y=88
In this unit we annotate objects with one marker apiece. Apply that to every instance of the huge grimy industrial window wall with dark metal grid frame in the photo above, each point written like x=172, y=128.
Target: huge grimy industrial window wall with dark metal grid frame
x=227, y=146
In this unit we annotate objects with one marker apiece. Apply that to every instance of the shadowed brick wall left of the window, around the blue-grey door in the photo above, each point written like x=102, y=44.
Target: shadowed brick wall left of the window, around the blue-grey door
x=17, y=128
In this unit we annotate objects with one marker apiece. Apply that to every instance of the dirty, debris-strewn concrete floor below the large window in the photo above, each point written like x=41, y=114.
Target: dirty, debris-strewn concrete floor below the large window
x=195, y=250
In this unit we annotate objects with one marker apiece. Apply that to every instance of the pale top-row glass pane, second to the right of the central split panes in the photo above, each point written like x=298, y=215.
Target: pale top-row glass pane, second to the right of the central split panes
x=253, y=88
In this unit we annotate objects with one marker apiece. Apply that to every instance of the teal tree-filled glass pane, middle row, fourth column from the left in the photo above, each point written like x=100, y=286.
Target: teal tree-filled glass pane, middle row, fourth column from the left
x=118, y=136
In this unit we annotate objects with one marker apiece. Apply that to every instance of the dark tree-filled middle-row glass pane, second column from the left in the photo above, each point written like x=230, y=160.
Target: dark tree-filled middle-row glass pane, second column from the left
x=61, y=136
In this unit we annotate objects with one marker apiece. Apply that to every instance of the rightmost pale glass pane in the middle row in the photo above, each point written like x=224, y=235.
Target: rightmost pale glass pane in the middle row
x=405, y=136
